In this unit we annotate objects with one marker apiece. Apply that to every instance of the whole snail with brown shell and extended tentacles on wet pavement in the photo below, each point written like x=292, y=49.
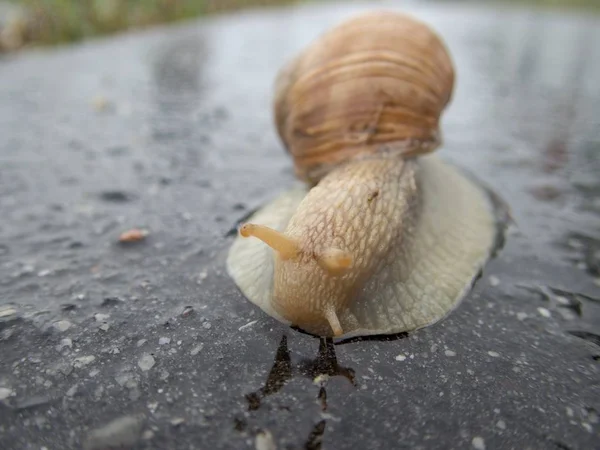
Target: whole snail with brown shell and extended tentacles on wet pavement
x=383, y=236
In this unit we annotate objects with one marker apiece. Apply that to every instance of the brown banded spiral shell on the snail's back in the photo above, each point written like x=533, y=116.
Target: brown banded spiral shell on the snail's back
x=377, y=83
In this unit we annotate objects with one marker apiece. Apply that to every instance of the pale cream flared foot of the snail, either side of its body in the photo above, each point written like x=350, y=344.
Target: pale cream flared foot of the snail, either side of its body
x=422, y=281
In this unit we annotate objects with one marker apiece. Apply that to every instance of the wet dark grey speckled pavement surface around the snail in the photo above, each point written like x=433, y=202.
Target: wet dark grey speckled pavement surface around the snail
x=150, y=344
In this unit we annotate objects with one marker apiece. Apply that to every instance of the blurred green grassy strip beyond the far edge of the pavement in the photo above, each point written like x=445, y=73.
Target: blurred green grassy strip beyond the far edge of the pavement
x=26, y=23
